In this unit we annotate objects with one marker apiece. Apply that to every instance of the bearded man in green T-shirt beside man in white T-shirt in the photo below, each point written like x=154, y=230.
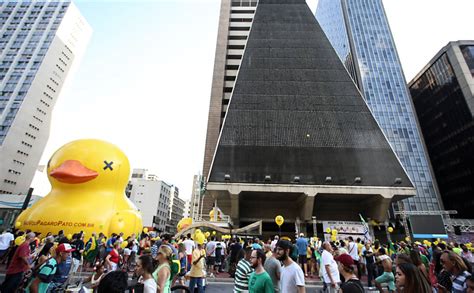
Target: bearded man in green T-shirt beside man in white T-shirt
x=259, y=281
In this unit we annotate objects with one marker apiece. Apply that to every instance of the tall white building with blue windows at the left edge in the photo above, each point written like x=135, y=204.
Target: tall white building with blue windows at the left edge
x=41, y=42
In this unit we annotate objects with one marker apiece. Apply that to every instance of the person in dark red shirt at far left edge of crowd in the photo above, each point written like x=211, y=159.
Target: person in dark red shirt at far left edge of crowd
x=19, y=265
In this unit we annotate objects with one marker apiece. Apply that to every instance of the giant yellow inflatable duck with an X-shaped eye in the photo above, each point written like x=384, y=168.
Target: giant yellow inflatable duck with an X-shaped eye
x=88, y=179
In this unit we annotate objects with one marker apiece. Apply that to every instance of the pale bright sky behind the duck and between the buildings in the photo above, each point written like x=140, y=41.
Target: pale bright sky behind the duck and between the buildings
x=144, y=82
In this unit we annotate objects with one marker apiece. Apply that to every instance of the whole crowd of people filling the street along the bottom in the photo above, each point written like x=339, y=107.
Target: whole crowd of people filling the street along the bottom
x=154, y=264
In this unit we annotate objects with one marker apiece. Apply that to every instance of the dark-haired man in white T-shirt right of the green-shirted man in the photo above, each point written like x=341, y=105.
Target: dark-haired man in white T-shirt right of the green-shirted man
x=292, y=277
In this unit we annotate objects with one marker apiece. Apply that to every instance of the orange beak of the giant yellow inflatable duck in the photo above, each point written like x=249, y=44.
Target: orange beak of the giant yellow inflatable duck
x=73, y=172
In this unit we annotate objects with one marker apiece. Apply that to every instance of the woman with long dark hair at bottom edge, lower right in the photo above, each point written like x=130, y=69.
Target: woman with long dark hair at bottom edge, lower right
x=409, y=279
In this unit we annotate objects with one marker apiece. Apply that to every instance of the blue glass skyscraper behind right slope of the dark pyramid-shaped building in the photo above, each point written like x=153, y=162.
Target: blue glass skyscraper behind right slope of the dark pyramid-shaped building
x=360, y=34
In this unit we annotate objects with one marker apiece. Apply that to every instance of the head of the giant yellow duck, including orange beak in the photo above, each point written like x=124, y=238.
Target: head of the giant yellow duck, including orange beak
x=89, y=163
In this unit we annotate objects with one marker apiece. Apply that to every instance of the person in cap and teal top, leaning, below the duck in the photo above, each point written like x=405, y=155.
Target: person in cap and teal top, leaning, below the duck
x=44, y=278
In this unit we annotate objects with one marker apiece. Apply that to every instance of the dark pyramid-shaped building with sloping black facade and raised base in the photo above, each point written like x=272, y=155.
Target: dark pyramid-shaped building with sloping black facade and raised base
x=298, y=138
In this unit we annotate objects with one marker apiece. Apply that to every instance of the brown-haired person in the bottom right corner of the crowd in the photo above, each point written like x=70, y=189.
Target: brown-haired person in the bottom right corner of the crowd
x=453, y=264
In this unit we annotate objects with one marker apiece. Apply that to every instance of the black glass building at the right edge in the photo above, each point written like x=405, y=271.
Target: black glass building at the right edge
x=443, y=95
